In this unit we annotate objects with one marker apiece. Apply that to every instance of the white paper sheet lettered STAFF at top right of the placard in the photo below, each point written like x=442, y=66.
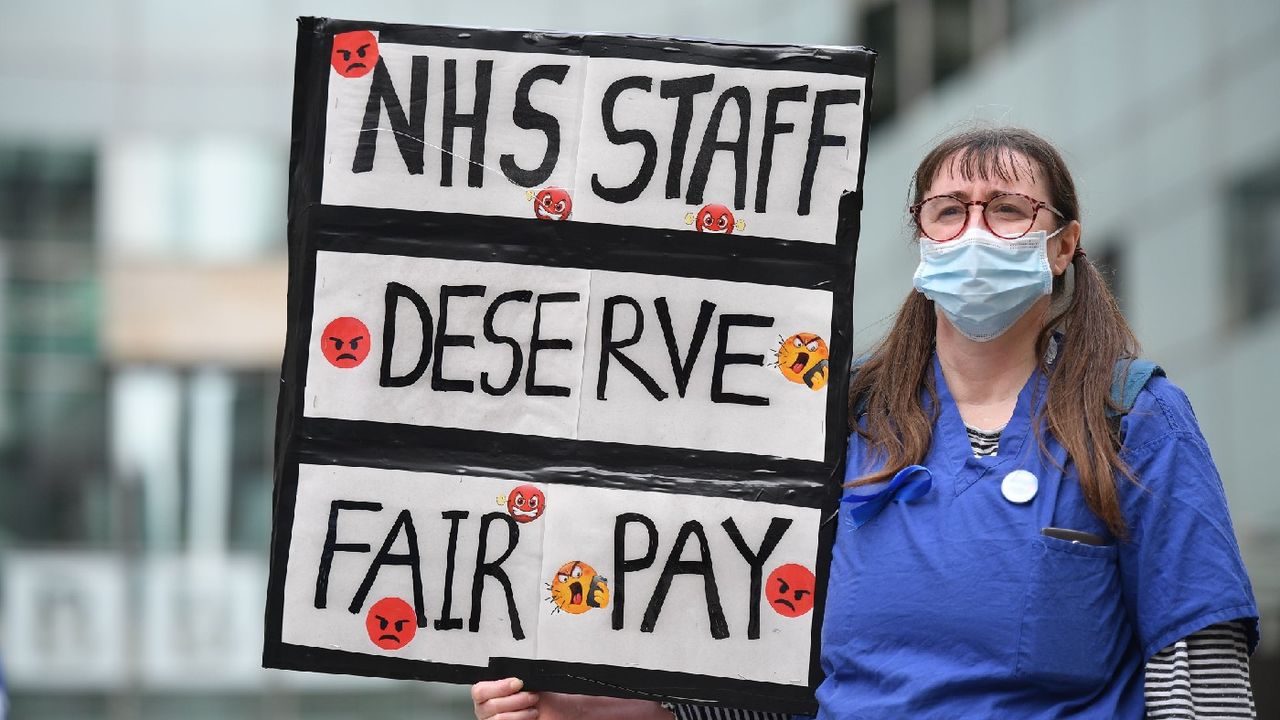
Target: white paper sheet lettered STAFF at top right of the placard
x=761, y=161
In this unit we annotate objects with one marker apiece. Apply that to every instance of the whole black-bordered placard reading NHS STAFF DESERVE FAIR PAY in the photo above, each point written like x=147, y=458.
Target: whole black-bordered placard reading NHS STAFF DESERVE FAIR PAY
x=564, y=389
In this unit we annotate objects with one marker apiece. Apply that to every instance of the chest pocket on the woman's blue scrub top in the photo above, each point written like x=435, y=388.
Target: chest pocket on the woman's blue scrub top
x=1075, y=625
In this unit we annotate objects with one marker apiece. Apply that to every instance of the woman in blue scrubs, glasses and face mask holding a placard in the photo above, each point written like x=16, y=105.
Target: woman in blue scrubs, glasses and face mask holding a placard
x=1072, y=557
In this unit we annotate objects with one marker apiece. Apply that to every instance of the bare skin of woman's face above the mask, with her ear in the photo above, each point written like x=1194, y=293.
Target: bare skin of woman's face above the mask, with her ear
x=1022, y=176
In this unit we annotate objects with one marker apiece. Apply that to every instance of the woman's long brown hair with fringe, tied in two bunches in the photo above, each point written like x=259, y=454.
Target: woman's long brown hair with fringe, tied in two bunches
x=888, y=388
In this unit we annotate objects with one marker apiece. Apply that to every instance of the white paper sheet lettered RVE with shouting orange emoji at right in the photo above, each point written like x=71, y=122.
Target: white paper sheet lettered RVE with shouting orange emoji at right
x=721, y=386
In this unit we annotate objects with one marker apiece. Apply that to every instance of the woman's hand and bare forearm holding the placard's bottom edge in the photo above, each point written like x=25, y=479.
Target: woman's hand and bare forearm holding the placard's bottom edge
x=504, y=700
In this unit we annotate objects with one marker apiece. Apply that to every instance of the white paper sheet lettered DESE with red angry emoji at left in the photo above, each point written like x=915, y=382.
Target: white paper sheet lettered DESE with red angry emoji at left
x=426, y=375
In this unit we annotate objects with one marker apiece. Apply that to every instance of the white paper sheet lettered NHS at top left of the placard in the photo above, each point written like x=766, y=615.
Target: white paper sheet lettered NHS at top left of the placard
x=441, y=172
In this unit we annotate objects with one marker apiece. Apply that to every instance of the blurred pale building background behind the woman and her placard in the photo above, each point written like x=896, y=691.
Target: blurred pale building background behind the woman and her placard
x=144, y=149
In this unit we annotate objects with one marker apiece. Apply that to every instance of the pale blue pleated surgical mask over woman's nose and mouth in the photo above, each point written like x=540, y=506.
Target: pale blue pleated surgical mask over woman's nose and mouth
x=984, y=284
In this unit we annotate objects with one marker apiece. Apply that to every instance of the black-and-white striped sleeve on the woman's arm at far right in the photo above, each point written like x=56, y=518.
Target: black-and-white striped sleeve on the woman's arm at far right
x=1204, y=676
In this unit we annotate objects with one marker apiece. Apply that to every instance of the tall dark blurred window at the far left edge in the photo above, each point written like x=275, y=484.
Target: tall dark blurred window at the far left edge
x=53, y=409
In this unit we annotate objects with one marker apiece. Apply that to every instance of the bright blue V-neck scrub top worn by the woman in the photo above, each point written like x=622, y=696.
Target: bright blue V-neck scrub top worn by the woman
x=958, y=607
